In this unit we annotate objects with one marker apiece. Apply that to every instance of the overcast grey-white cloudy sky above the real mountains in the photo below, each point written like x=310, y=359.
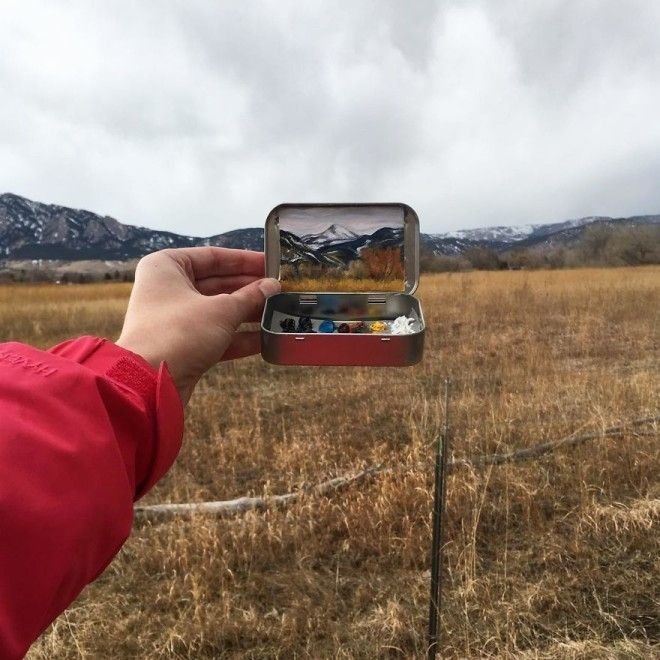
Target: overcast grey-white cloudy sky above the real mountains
x=200, y=116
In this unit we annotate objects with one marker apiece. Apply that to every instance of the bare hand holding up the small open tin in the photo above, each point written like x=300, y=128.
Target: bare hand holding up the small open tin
x=186, y=306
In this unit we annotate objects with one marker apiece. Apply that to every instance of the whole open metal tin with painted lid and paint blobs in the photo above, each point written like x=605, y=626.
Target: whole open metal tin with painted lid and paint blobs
x=349, y=267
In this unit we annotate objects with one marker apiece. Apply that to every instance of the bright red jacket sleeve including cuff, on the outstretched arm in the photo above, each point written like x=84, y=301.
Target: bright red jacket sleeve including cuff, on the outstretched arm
x=85, y=429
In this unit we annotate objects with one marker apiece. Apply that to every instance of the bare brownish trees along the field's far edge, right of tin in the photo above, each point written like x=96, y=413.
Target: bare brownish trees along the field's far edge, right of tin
x=600, y=245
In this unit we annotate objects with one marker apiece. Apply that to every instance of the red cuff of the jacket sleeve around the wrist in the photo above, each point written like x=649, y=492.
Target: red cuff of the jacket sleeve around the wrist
x=154, y=388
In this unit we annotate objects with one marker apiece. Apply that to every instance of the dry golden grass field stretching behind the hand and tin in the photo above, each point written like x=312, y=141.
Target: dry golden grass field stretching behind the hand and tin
x=556, y=557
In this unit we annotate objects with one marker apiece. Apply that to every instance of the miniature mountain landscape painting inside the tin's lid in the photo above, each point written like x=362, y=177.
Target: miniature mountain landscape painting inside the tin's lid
x=342, y=249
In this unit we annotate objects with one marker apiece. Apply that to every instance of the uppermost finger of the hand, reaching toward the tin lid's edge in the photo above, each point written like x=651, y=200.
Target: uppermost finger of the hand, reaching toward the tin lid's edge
x=215, y=261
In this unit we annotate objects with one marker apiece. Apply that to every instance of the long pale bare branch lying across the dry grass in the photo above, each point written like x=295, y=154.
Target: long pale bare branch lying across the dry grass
x=242, y=504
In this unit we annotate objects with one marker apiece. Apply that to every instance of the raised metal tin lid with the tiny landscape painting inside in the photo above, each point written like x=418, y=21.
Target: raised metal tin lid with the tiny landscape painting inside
x=343, y=247
